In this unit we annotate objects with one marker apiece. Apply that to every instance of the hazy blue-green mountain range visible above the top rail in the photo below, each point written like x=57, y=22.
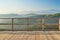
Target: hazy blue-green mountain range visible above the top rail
x=31, y=15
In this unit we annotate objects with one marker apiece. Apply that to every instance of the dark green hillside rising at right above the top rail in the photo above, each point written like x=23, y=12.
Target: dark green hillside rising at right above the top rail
x=56, y=15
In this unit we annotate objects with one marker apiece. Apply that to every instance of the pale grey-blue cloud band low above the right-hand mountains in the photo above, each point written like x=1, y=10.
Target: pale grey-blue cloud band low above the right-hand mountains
x=51, y=11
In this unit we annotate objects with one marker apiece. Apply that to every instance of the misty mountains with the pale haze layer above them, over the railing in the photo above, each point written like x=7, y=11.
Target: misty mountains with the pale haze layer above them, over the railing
x=34, y=14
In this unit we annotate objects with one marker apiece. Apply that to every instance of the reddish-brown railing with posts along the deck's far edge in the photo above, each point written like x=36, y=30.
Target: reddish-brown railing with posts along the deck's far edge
x=28, y=22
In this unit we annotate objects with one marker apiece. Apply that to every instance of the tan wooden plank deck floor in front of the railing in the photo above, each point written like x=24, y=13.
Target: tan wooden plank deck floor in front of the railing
x=38, y=35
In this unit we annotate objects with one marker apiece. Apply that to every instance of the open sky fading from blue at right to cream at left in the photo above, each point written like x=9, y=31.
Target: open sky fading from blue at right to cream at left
x=18, y=6
